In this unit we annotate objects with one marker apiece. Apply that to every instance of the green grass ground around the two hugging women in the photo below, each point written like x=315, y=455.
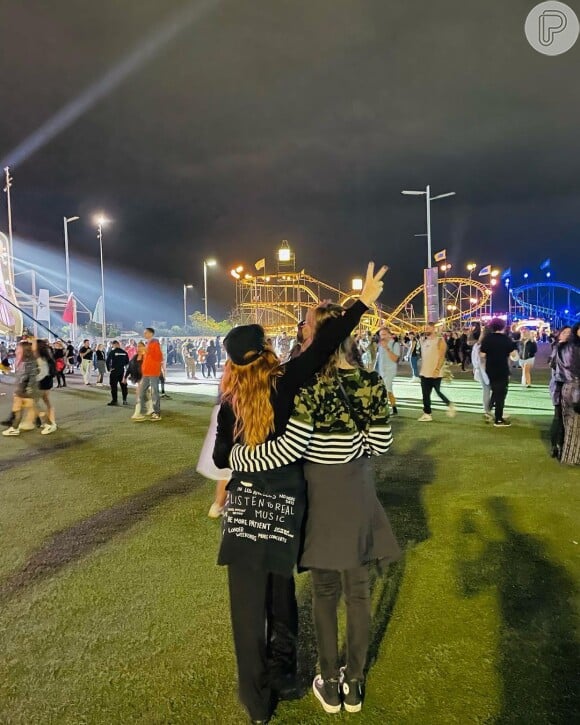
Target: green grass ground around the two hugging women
x=112, y=609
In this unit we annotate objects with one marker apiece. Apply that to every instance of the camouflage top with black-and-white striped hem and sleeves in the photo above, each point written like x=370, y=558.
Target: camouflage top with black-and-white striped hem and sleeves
x=322, y=429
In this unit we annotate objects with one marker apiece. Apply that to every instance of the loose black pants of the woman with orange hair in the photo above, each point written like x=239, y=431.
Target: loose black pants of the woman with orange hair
x=265, y=626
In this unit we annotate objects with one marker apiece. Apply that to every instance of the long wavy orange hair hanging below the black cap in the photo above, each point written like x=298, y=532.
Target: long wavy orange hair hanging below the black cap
x=248, y=389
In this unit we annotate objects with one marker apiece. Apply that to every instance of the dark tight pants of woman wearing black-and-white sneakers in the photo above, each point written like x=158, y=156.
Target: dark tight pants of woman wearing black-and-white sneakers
x=327, y=587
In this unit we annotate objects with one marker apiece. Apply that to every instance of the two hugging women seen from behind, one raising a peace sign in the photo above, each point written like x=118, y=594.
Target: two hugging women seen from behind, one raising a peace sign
x=324, y=408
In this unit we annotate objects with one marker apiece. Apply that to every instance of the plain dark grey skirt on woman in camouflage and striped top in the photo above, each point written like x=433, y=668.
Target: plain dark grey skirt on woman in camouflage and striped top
x=346, y=525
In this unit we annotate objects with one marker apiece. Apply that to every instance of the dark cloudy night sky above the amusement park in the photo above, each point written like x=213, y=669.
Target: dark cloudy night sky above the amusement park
x=293, y=119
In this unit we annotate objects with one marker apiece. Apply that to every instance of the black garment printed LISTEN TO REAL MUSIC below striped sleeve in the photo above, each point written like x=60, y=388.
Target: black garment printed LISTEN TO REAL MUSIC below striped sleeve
x=262, y=523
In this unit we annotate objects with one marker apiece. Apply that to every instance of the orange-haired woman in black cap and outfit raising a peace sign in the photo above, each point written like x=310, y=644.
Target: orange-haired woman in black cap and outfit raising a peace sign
x=263, y=518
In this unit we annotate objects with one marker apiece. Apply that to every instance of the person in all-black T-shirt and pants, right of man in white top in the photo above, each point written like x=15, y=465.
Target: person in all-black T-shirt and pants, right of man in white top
x=496, y=349
